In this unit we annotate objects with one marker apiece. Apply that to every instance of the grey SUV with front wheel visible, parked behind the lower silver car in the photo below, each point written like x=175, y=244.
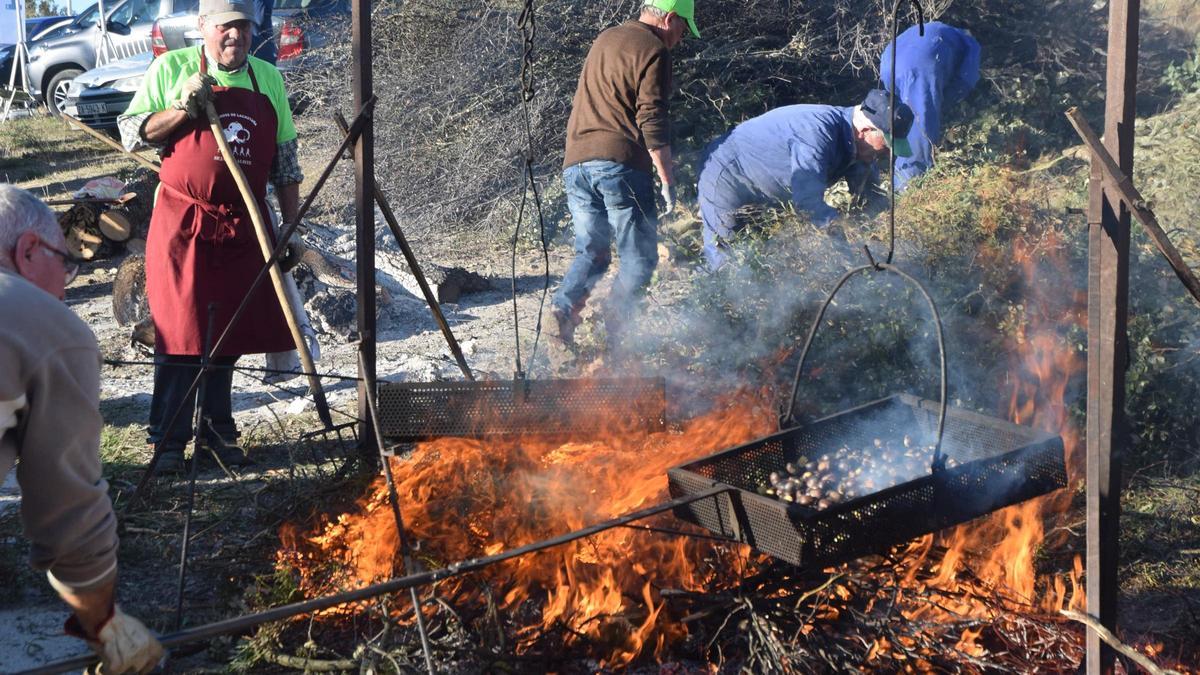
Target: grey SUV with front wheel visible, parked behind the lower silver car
x=64, y=53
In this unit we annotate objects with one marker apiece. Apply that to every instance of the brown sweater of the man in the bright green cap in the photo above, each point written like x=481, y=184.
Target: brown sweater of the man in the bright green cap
x=621, y=106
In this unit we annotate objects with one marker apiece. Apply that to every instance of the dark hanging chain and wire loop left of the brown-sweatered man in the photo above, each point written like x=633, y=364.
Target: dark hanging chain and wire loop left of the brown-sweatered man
x=527, y=23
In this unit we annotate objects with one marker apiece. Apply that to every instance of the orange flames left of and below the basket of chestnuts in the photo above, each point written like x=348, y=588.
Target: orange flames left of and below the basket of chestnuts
x=465, y=499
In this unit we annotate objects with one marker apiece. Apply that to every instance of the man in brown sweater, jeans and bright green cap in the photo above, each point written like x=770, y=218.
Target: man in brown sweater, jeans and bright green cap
x=620, y=128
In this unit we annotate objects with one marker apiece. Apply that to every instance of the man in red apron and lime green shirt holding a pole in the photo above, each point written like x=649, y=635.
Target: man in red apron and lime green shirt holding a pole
x=202, y=249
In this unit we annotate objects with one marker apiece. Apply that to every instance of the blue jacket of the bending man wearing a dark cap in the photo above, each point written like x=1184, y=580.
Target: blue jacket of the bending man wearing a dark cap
x=794, y=154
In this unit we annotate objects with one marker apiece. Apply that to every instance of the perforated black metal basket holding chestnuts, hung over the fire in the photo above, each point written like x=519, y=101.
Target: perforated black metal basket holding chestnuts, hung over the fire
x=999, y=464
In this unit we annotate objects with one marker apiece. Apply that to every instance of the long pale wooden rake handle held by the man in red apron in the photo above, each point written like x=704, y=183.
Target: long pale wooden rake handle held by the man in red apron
x=263, y=232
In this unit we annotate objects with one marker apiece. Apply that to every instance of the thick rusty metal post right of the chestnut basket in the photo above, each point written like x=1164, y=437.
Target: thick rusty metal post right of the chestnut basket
x=1108, y=303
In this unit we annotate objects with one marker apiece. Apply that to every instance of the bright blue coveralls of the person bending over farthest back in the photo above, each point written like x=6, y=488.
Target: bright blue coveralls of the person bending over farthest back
x=937, y=71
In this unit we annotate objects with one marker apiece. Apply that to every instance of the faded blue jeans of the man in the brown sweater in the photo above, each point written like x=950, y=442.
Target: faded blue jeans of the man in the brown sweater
x=609, y=202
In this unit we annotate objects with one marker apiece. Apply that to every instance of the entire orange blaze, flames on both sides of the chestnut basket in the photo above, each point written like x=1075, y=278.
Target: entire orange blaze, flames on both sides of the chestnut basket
x=464, y=499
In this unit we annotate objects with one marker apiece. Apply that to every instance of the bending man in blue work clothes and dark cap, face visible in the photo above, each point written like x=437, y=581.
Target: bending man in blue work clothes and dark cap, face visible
x=795, y=154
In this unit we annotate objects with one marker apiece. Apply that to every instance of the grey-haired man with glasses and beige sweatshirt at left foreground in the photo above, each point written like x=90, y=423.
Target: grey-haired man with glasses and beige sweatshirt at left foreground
x=50, y=429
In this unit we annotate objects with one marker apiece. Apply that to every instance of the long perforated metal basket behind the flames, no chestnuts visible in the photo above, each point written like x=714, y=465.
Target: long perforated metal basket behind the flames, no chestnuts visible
x=562, y=408
